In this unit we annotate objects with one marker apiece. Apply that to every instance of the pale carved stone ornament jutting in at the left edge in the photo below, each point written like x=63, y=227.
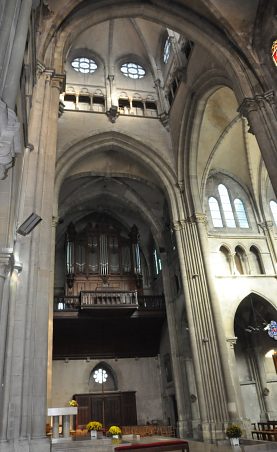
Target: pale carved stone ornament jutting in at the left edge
x=9, y=138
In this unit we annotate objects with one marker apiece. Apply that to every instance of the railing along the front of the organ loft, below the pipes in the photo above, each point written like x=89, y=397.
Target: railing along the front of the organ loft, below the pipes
x=88, y=300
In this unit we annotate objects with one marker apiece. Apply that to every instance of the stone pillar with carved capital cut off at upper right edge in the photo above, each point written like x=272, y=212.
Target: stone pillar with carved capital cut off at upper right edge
x=261, y=114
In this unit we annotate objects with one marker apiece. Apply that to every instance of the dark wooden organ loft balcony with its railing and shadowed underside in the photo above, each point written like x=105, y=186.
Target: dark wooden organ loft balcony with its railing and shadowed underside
x=107, y=325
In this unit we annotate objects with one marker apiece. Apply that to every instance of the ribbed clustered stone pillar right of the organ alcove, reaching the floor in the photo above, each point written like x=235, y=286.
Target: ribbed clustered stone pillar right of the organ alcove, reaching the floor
x=214, y=387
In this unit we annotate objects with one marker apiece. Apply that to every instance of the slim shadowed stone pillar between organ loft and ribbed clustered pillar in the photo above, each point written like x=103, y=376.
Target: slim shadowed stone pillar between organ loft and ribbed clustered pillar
x=183, y=405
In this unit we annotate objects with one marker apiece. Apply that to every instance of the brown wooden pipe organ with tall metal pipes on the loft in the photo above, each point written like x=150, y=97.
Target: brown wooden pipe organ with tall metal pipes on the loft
x=100, y=256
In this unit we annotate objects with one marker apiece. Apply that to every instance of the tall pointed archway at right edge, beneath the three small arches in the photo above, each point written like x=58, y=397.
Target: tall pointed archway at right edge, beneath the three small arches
x=253, y=344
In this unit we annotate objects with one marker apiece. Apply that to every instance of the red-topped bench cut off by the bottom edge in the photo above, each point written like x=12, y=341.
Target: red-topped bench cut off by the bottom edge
x=159, y=446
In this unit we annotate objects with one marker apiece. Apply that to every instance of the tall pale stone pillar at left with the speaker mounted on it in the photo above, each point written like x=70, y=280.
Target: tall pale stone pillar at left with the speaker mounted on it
x=25, y=375
